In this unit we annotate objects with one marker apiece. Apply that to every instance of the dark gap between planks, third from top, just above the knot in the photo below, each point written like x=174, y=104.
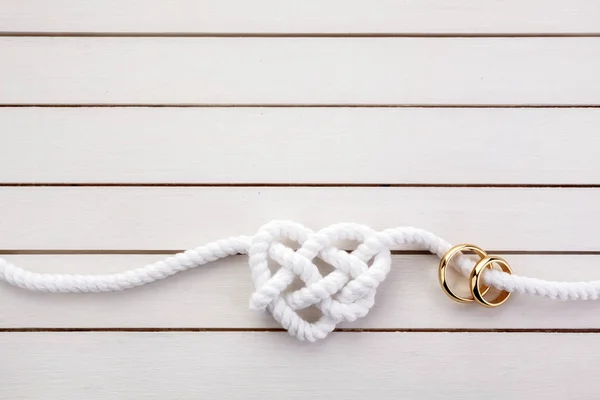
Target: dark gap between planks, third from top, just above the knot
x=306, y=185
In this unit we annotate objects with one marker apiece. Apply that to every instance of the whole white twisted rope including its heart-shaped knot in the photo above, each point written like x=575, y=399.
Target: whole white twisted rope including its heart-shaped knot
x=345, y=294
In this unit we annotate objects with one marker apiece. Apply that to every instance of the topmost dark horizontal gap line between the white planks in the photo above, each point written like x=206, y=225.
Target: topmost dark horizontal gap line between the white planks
x=349, y=35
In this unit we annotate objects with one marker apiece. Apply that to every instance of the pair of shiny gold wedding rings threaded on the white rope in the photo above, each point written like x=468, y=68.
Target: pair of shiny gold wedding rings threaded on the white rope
x=478, y=291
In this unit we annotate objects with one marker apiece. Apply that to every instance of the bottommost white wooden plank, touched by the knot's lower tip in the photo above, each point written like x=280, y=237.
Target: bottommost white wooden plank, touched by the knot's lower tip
x=275, y=366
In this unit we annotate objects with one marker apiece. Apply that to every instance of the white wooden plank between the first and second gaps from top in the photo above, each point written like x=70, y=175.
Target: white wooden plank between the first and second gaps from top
x=450, y=71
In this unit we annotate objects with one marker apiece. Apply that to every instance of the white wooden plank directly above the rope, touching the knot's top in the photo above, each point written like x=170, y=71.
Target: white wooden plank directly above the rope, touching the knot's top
x=185, y=217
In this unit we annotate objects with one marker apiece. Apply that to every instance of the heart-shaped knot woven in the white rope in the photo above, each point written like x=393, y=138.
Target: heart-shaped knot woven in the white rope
x=346, y=294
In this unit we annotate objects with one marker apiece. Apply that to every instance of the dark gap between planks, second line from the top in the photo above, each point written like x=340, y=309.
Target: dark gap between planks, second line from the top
x=288, y=105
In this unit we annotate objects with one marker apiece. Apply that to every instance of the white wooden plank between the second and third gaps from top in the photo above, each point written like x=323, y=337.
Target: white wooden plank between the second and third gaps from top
x=300, y=145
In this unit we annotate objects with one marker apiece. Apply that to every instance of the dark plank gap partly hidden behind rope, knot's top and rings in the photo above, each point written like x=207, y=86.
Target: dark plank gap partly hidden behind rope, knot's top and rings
x=48, y=252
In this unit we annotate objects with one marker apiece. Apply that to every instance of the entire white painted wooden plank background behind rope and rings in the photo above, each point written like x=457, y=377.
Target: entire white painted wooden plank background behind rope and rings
x=279, y=161
